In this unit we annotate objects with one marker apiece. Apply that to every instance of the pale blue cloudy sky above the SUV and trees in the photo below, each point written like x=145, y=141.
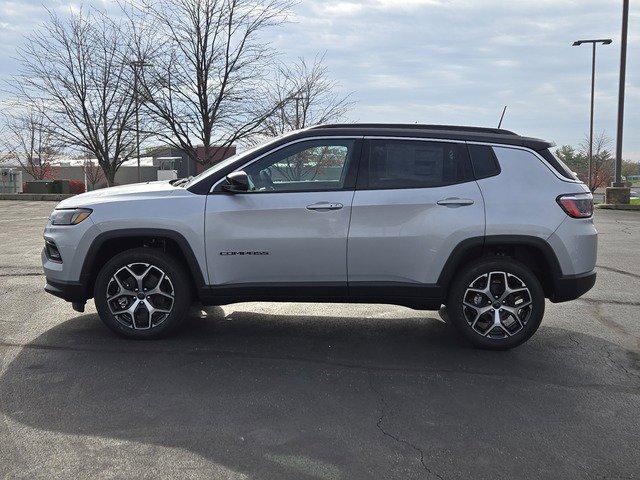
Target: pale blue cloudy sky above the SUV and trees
x=448, y=61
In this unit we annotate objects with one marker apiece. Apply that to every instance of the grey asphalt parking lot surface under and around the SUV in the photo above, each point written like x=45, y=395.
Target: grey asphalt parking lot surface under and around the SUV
x=311, y=391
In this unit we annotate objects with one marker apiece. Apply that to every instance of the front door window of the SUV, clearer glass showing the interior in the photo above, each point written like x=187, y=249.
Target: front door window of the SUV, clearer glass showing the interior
x=303, y=166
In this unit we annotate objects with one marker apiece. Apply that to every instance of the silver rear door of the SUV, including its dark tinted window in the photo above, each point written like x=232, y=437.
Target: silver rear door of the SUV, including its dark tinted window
x=415, y=201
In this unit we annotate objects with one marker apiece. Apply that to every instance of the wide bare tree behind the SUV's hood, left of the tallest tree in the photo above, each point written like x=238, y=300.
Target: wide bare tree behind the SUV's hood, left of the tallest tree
x=76, y=70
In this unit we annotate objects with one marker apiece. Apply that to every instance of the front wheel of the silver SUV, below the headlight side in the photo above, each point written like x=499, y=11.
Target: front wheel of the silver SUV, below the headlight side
x=151, y=326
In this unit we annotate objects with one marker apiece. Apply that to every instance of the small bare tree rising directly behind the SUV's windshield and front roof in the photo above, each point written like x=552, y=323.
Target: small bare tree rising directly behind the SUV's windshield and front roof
x=307, y=97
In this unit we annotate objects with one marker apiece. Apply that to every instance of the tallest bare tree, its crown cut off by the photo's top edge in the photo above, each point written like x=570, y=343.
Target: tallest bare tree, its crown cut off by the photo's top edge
x=207, y=69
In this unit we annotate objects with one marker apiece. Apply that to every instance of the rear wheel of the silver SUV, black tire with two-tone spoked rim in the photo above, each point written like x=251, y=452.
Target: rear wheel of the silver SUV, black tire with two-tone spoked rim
x=510, y=332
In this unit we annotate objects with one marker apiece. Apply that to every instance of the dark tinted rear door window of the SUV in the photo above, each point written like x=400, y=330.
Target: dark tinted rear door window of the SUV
x=417, y=164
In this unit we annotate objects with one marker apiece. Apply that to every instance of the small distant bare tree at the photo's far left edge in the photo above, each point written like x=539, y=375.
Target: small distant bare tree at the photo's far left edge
x=30, y=142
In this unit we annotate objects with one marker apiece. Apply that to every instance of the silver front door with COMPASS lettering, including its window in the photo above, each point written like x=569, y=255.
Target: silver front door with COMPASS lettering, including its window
x=290, y=229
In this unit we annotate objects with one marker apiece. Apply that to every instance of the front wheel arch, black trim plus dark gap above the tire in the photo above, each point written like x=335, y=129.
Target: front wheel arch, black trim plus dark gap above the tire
x=108, y=244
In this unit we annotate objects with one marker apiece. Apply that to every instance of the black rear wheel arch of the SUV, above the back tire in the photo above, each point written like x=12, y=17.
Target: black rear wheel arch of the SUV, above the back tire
x=534, y=252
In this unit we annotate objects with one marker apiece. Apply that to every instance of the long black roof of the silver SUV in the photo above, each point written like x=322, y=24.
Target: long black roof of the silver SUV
x=445, y=132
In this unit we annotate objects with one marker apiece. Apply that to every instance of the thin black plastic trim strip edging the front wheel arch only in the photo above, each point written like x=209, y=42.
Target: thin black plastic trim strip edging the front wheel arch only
x=182, y=242
